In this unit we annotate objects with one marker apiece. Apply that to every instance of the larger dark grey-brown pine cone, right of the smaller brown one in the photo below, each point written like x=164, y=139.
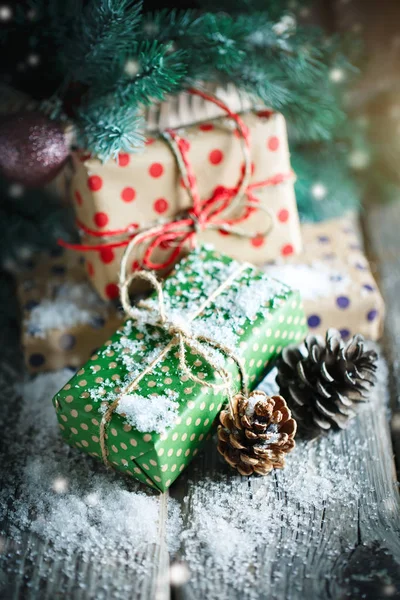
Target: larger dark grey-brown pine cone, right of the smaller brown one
x=323, y=384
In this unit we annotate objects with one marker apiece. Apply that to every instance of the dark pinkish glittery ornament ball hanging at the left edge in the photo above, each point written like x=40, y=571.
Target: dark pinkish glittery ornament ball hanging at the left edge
x=33, y=149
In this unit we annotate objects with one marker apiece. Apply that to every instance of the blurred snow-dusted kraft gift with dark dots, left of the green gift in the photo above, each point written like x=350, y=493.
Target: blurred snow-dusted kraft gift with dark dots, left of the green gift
x=64, y=320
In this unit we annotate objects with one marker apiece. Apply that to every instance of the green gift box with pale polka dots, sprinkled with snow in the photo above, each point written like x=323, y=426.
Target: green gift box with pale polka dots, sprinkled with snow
x=137, y=407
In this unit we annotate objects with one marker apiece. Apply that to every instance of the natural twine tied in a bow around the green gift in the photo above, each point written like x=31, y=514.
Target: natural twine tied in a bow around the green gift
x=181, y=337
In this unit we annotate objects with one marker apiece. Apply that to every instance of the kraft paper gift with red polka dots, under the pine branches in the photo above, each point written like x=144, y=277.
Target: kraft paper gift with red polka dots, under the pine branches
x=138, y=190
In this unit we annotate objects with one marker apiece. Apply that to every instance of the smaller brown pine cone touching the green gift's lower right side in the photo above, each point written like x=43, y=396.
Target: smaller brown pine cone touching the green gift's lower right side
x=256, y=433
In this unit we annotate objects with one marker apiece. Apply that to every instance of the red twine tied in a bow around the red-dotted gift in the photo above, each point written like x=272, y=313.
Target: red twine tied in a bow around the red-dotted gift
x=203, y=214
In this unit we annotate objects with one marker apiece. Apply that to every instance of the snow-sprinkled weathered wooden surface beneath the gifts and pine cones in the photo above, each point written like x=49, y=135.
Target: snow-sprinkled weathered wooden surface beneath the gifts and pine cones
x=325, y=527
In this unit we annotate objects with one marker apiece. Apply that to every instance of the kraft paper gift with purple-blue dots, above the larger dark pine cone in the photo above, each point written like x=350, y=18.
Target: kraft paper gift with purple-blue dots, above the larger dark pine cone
x=335, y=280
